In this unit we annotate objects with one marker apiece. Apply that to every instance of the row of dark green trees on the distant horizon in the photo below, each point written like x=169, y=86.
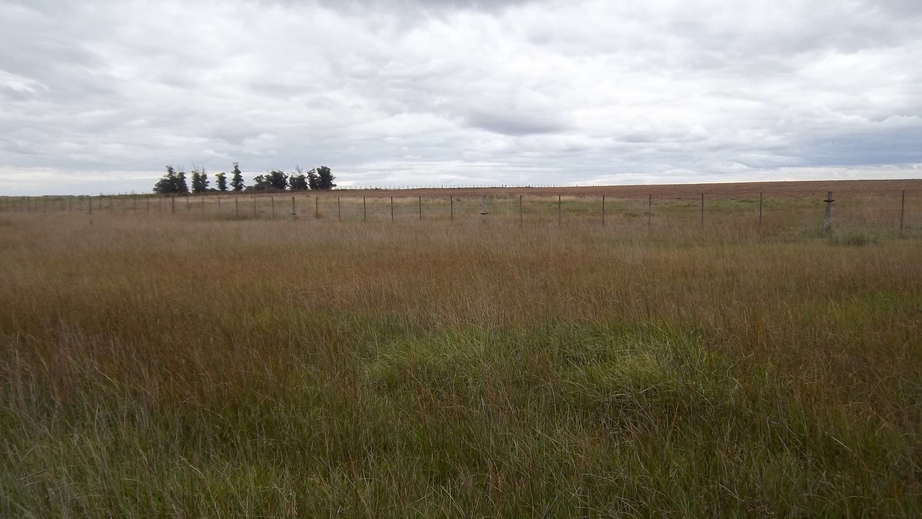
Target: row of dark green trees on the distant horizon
x=174, y=181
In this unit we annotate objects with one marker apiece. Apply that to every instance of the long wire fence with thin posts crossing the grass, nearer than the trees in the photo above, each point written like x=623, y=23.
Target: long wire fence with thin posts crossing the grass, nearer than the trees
x=880, y=211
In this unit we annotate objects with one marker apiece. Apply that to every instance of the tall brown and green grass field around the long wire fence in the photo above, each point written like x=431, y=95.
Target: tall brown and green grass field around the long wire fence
x=200, y=365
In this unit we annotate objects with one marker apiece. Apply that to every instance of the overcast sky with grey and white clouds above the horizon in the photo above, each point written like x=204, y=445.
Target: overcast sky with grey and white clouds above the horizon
x=98, y=96
